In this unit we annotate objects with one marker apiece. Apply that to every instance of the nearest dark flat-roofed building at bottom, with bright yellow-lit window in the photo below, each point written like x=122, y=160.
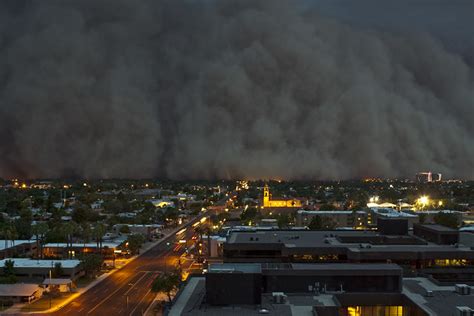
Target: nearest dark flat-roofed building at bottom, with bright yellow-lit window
x=299, y=289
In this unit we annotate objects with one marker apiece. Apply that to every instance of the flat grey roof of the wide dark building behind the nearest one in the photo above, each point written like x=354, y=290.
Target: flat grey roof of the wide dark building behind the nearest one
x=347, y=242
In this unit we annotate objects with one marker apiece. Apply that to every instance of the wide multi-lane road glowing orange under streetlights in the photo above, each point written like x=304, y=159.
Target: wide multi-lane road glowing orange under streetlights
x=127, y=291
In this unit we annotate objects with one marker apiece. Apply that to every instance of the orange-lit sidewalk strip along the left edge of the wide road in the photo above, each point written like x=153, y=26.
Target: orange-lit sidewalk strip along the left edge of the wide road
x=17, y=308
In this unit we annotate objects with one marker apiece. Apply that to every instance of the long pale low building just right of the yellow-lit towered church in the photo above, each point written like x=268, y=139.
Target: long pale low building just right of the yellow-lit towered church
x=356, y=219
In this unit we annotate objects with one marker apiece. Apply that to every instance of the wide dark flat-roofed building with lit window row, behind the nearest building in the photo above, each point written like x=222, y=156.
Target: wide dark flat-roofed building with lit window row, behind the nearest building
x=410, y=252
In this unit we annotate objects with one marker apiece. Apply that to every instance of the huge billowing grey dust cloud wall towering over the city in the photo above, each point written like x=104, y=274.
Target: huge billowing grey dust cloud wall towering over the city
x=255, y=89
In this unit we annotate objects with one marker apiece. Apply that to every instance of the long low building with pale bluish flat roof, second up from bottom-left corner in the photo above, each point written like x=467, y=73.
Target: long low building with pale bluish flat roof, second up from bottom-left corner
x=29, y=268
